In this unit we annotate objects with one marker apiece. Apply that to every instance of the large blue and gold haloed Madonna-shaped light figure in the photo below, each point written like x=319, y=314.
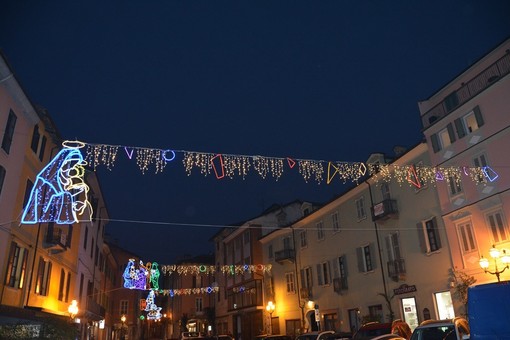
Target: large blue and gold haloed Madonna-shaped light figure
x=60, y=194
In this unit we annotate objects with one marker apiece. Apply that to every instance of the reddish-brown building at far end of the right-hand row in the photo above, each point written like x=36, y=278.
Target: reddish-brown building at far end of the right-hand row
x=242, y=299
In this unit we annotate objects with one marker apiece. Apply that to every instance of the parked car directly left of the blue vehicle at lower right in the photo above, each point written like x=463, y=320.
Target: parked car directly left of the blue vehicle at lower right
x=449, y=329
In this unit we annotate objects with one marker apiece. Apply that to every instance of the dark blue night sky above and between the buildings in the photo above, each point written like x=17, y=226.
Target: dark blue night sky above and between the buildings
x=323, y=80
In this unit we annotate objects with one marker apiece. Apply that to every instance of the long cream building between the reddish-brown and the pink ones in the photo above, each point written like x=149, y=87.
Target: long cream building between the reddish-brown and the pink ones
x=376, y=253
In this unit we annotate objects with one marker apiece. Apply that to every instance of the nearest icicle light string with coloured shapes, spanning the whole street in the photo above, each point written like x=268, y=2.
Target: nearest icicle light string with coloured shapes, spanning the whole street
x=230, y=166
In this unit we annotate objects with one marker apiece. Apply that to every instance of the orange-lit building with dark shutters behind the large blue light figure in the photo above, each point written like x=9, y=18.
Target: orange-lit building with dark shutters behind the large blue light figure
x=49, y=260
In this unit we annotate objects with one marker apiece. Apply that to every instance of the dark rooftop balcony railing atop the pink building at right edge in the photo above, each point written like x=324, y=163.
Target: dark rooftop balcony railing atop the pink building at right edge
x=468, y=90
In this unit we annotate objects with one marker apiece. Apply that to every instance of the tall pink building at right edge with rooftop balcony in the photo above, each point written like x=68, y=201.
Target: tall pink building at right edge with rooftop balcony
x=467, y=124
